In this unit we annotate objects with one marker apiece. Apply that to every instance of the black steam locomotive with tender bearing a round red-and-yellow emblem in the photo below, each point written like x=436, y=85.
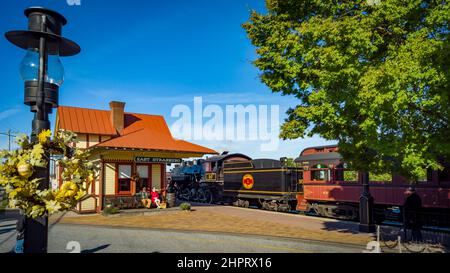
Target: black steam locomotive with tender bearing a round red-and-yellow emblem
x=236, y=178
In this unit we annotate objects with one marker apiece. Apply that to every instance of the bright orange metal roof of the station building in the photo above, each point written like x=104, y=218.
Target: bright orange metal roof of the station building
x=140, y=131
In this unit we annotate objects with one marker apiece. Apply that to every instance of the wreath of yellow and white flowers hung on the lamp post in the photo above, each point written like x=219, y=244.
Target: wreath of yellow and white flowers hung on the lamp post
x=24, y=192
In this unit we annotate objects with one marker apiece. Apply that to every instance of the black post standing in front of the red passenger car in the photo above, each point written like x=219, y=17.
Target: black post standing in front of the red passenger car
x=365, y=205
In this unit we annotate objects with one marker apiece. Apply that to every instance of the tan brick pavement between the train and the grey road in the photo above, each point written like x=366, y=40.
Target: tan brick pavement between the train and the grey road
x=233, y=220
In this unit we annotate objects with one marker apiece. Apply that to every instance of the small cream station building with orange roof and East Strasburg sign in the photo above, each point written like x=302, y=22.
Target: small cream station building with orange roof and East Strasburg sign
x=130, y=150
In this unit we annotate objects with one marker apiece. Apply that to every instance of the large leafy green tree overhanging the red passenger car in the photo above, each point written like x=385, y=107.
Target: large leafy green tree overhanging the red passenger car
x=373, y=75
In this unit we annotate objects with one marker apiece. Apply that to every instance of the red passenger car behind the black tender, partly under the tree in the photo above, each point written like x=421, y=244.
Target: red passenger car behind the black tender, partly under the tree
x=331, y=190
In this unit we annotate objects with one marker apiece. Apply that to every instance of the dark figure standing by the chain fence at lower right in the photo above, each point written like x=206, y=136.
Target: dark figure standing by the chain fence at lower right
x=412, y=214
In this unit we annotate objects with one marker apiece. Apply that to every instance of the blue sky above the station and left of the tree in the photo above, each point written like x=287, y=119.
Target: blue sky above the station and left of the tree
x=152, y=55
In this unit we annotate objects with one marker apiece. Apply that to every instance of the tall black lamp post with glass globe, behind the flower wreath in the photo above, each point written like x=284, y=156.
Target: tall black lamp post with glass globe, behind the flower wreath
x=43, y=73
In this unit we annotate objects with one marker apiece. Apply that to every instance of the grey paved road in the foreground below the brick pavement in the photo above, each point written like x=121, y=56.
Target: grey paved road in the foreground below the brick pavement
x=118, y=240
